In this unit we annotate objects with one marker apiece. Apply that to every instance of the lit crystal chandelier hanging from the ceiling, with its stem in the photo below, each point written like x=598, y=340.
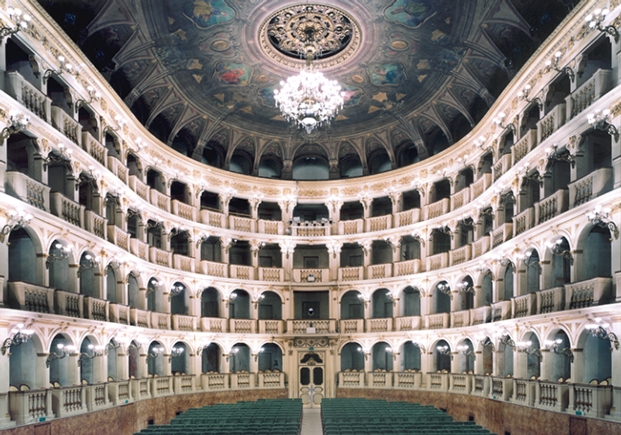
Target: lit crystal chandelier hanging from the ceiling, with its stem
x=309, y=99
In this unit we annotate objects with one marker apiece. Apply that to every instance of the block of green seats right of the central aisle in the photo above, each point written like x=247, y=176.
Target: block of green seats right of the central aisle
x=379, y=417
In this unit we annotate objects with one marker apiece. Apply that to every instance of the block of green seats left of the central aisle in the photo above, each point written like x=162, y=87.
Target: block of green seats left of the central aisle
x=263, y=417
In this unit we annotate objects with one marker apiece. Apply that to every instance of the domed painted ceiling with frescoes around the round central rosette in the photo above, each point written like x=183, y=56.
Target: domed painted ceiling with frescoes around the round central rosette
x=194, y=66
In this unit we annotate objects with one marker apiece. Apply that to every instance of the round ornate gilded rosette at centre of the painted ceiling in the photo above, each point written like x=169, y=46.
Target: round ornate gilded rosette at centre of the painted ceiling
x=332, y=35
